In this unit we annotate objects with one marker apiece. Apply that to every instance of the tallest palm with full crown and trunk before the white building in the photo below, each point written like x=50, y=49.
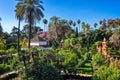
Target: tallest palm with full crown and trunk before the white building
x=32, y=12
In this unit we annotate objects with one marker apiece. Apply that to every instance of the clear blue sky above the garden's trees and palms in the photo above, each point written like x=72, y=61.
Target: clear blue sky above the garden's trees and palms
x=88, y=11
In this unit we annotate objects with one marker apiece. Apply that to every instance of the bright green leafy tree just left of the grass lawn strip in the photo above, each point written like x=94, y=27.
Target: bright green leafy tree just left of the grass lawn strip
x=69, y=60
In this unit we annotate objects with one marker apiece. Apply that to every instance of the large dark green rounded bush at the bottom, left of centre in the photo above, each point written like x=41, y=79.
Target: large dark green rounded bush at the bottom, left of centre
x=41, y=71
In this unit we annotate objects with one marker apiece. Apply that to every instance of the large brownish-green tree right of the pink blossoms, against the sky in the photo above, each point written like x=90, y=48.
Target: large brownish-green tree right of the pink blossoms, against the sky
x=59, y=27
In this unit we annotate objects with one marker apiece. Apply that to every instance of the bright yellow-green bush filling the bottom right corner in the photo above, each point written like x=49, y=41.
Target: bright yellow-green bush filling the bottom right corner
x=107, y=73
